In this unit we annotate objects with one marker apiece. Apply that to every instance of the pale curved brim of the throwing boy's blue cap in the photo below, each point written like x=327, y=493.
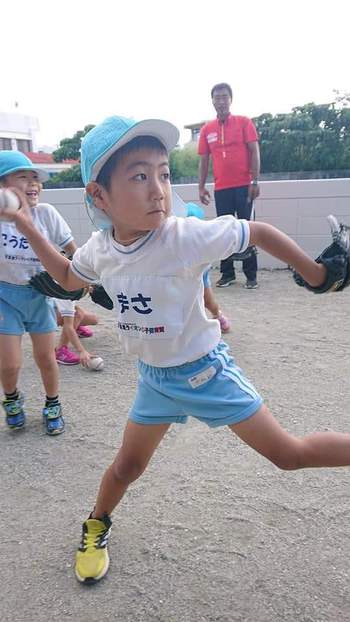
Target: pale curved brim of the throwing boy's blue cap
x=166, y=133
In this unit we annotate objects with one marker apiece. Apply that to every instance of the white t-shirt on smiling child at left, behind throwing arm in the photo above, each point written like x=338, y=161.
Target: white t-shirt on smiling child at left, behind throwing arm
x=18, y=262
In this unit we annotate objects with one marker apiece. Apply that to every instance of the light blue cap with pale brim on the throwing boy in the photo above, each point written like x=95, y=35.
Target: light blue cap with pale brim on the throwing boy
x=104, y=139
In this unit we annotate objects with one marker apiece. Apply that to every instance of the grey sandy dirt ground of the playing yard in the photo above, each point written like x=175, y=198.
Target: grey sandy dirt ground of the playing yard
x=212, y=531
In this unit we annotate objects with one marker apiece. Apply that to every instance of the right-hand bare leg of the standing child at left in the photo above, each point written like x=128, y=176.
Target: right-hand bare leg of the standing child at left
x=45, y=358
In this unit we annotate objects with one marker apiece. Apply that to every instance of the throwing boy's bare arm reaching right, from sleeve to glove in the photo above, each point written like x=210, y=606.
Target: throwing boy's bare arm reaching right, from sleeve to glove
x=279, y=245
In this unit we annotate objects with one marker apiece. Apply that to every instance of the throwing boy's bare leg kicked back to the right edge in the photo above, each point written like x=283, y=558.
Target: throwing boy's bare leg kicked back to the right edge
x=320, y=449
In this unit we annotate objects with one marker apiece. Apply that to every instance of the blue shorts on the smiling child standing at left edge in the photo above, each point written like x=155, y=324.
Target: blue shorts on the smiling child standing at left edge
x=24, y=309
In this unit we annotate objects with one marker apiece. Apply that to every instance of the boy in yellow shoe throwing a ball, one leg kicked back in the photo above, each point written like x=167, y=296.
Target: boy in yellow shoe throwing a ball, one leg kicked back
x=151, y=264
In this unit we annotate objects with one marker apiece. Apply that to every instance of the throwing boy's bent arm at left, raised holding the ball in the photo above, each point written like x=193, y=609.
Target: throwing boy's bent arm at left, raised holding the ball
x=55, y=263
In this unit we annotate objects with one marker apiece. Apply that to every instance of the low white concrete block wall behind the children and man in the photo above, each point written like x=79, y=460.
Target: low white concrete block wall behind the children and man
x=299, y=208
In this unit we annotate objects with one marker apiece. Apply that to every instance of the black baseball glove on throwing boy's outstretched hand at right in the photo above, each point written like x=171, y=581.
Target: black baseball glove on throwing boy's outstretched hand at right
x=335, y=258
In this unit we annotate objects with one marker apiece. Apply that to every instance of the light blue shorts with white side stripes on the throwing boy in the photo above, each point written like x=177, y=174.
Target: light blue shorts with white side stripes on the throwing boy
x=211, y=389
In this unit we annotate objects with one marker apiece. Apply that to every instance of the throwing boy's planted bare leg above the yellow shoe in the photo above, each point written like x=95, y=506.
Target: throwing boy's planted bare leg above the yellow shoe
x=139, y=444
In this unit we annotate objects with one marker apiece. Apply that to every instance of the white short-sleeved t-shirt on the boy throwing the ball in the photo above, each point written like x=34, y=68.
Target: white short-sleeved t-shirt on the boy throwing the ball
x=156, y=284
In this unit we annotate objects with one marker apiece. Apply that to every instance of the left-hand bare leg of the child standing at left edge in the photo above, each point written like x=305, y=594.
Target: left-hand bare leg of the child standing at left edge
x=10, y=361
